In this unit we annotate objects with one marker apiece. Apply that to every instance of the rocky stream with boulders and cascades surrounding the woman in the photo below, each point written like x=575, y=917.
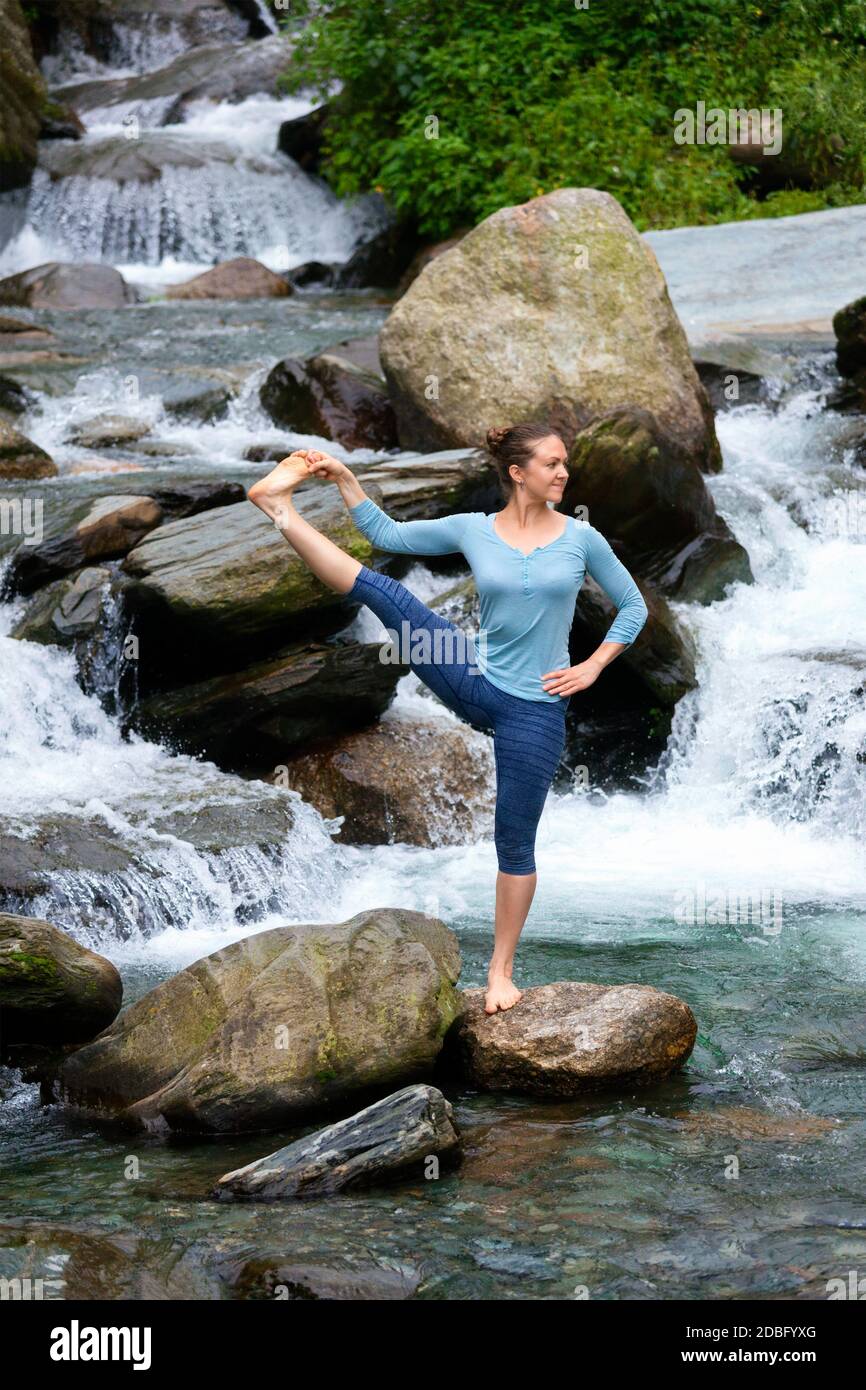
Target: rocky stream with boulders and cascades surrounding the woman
x=213, y=790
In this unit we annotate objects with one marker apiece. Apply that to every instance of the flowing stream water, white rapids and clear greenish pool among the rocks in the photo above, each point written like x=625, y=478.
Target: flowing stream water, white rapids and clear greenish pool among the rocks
x=732, y=876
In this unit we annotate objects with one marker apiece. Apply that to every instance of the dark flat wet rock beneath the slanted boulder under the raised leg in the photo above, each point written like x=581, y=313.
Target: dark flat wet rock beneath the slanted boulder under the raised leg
x=269, y=710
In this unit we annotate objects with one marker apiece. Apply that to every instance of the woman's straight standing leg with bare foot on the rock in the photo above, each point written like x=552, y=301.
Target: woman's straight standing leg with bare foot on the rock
x=529, y=742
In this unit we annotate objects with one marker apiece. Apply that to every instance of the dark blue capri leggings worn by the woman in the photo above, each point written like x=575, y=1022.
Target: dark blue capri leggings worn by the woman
x=529, y=736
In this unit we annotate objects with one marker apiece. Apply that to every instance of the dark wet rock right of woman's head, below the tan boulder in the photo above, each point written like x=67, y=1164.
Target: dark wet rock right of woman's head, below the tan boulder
x=654, y=507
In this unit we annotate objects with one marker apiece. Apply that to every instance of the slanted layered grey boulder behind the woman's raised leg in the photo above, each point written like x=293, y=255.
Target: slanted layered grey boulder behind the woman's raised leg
x=226, y=586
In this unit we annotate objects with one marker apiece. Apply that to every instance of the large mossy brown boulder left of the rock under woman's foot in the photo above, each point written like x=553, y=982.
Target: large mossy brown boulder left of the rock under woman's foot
x=277, y=1028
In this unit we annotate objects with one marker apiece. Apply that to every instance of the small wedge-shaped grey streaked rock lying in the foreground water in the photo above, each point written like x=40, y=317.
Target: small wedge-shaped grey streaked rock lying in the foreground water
x=393, y=1138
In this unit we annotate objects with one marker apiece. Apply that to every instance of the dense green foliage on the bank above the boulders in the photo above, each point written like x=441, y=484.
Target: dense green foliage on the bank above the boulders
x=533, y=95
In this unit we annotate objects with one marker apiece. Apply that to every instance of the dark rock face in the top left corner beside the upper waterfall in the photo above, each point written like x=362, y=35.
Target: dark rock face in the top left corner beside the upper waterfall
x=23, y=98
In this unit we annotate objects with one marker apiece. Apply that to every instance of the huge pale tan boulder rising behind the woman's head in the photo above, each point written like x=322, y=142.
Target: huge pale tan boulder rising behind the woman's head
x=557, y=311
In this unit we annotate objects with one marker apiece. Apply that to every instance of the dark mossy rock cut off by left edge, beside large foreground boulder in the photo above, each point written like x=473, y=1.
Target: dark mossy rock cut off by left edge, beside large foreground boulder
x=52, y=990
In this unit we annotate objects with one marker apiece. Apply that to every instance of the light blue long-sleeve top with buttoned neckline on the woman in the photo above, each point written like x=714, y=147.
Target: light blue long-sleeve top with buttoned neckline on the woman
x=528, y=601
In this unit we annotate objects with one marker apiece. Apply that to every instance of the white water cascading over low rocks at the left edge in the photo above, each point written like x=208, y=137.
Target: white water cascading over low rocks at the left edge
x=66, y=769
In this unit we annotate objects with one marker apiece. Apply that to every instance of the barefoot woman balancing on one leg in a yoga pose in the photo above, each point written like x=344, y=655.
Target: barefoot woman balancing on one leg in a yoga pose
x=529, y=564
